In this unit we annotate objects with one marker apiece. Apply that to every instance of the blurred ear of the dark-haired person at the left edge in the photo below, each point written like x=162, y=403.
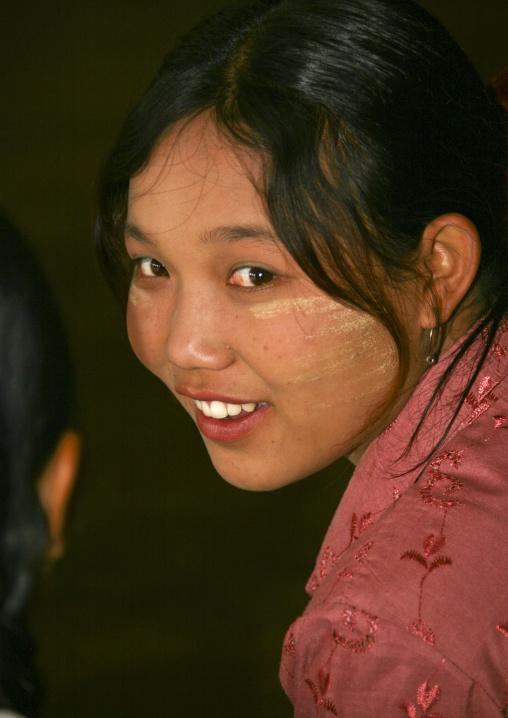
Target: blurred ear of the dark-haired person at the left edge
x=55, y=487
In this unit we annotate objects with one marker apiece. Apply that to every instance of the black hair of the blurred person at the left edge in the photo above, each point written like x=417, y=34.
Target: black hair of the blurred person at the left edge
x=36, y=407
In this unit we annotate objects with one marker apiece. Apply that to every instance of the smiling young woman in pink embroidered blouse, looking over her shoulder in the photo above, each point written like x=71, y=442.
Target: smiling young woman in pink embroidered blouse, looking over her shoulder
x=305, y=219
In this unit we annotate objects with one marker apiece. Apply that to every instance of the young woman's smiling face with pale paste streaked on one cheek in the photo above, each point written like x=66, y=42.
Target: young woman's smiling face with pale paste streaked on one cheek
x=280, y=379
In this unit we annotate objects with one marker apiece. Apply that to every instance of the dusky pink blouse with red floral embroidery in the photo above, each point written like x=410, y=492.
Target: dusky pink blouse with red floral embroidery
x=409, y=607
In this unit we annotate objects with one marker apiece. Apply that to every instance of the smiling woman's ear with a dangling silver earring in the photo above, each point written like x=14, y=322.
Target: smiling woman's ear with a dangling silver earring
x=450, y=252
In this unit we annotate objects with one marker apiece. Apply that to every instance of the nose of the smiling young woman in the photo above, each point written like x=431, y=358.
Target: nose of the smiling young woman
x=199, y=332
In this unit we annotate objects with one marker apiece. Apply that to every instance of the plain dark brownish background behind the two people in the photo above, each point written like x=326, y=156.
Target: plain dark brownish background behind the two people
x=176, y=589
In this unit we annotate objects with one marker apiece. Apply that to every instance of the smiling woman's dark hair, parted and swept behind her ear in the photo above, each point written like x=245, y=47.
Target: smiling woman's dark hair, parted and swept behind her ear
x=370, y=122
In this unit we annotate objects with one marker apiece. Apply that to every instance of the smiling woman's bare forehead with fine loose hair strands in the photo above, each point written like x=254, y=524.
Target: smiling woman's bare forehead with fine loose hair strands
x=194, y=175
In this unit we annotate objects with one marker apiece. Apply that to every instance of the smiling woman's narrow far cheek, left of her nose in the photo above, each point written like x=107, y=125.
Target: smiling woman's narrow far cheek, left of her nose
x=145, y=330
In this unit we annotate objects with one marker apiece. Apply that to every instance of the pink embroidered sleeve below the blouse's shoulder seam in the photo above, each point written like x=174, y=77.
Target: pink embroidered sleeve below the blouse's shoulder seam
x=355, y=665
